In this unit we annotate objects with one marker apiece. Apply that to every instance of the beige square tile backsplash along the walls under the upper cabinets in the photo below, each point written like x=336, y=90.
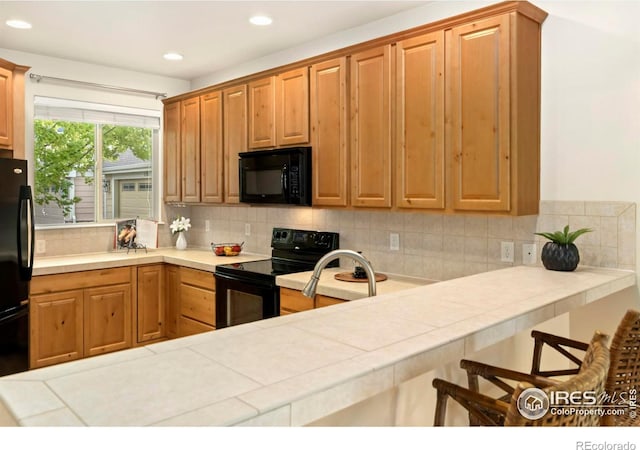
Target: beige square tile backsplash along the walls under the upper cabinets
x=432, y=245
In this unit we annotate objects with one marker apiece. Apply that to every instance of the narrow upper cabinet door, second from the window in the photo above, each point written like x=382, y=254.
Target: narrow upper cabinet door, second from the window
x=190, y=147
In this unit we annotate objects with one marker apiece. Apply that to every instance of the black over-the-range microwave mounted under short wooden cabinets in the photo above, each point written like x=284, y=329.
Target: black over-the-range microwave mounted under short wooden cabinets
x=280, y=176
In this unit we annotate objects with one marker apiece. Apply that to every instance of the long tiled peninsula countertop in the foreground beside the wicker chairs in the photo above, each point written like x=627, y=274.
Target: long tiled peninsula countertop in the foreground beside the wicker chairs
x=294, y=369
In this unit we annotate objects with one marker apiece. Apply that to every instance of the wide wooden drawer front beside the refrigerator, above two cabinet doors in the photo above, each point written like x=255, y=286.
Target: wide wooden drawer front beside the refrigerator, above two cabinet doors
x=45, y=284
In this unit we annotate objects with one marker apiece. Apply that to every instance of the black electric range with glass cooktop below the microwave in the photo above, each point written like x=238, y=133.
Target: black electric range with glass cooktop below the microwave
x=246, y=292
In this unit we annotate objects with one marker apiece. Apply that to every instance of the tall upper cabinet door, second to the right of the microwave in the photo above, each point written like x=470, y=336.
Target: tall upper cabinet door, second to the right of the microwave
x=371, y=128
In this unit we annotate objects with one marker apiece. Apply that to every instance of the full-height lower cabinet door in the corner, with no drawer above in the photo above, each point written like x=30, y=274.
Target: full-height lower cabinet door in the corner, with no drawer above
x=151, y=303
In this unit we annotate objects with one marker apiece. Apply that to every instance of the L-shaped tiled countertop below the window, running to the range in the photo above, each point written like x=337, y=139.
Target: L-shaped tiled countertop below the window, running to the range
x=202, y=259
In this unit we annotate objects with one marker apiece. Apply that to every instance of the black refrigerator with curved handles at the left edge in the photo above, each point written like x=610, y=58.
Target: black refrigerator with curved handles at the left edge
x=17, y=239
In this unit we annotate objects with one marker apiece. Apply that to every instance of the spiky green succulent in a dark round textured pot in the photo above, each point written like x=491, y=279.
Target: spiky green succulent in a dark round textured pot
x=561, y=253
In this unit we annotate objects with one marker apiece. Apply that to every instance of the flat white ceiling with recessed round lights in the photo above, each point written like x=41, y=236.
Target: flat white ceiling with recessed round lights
x=212, y=35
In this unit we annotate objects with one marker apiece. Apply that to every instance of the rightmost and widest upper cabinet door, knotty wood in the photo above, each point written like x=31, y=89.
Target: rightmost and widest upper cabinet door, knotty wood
x=478, y=106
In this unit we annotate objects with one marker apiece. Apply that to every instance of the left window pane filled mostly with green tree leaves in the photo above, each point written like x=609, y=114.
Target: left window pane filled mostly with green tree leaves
x=64, y=169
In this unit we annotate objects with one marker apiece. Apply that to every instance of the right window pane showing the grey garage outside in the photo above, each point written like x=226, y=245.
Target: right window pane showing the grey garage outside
x=126, y=164
